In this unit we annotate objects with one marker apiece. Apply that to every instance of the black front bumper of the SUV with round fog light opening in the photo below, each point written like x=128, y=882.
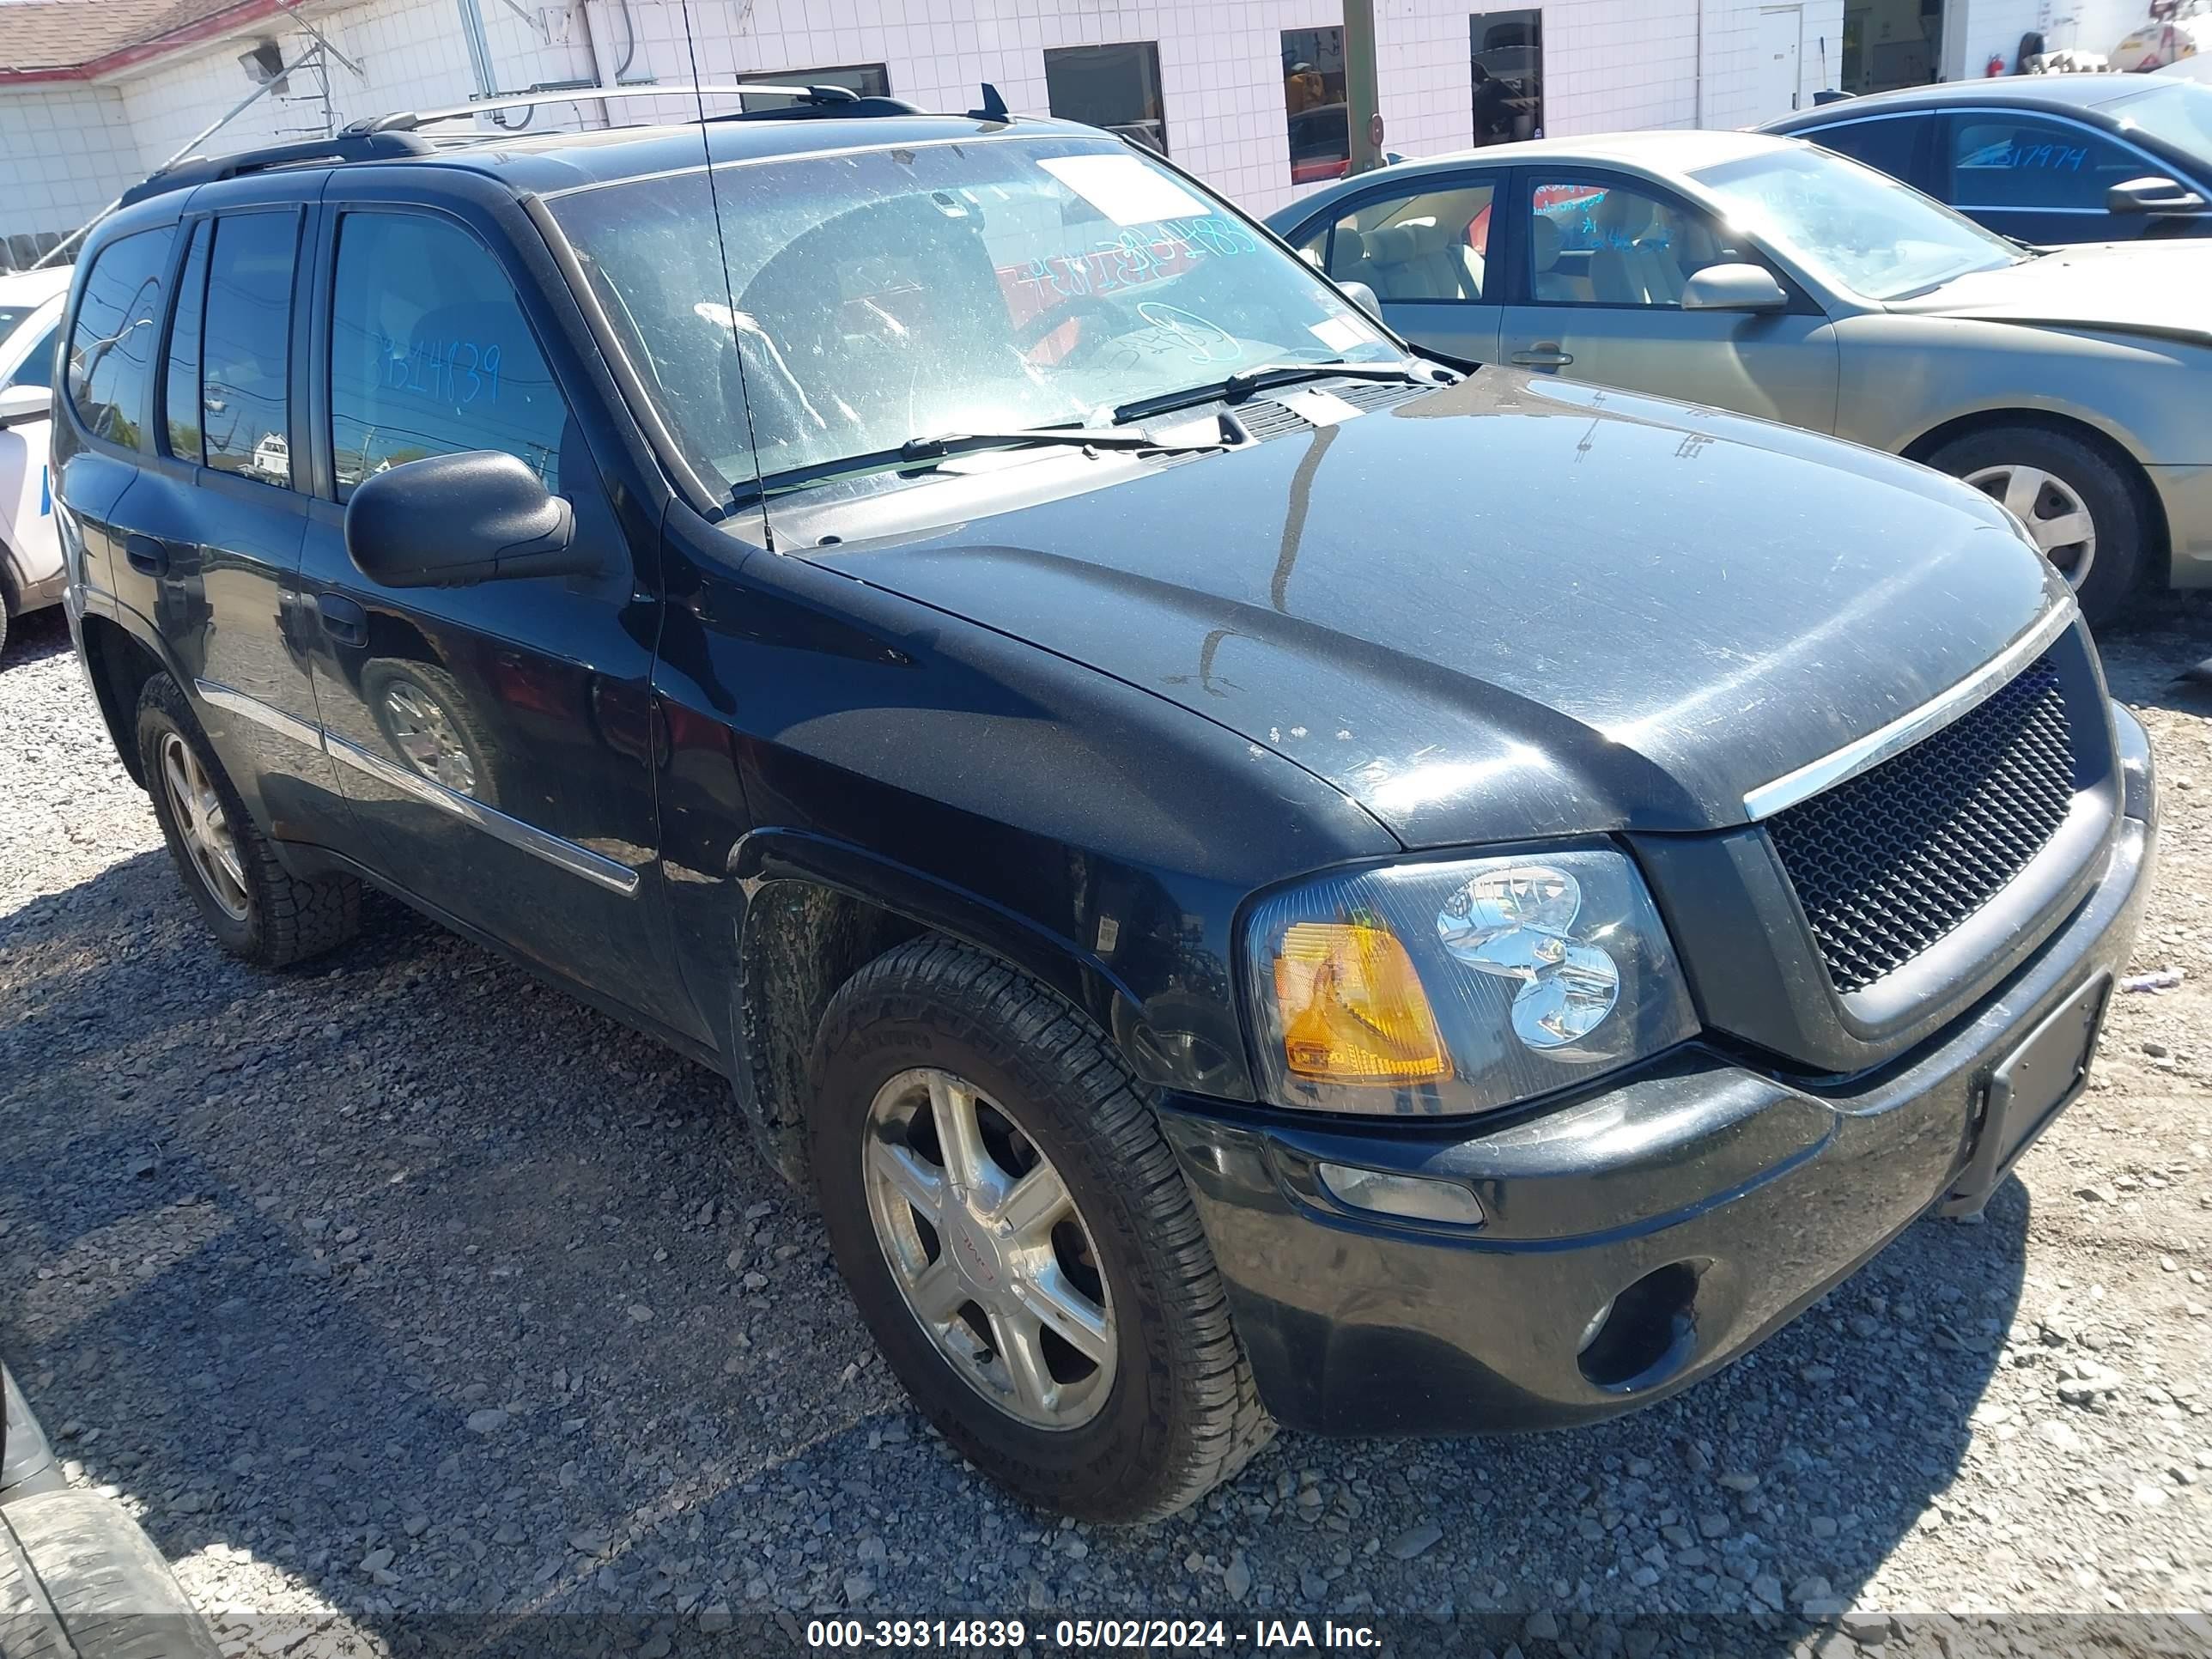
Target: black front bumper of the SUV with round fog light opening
x=1711, y=1200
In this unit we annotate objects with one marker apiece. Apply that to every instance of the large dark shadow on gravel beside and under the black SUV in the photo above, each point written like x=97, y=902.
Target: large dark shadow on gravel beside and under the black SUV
x=408, y=1286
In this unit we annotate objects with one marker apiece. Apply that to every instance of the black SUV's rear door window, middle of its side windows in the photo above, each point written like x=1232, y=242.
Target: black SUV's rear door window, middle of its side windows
x=247, y=359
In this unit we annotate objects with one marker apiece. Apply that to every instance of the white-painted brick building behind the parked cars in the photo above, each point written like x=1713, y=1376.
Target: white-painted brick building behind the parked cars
x=1249, y=94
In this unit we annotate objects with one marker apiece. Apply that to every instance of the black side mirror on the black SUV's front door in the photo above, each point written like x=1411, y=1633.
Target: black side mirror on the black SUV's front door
x=452, y=521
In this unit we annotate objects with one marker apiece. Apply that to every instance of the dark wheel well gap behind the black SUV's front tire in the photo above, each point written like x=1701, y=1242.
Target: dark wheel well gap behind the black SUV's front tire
x=802, y=943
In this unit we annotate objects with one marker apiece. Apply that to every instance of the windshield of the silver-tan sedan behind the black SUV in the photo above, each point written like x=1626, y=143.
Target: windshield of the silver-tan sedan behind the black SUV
x=1855, y=227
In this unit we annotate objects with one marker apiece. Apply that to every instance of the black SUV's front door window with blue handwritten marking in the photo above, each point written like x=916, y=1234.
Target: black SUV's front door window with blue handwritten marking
x=430, y=353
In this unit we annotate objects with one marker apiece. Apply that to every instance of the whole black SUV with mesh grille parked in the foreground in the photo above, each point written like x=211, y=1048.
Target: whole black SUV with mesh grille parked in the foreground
x=1262, y=879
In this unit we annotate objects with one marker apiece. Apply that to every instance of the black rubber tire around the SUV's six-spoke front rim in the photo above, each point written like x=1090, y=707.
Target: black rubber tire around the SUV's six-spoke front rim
x=1180, y=1412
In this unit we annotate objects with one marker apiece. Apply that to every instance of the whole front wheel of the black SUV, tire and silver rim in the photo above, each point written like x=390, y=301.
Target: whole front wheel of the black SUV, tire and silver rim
x=1021, y=1240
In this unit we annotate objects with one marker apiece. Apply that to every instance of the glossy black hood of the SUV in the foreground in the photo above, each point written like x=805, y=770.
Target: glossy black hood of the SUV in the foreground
x=1514, y=607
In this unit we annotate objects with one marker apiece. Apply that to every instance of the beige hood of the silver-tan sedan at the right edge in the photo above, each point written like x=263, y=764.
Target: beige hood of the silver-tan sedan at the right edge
x=2114, y=286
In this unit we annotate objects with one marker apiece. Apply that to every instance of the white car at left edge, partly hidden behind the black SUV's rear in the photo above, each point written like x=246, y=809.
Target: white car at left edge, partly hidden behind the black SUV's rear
x=30, y=550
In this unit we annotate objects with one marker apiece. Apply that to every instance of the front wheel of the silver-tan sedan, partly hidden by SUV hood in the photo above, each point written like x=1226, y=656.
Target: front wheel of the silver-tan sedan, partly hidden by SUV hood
x=2076, y=501
